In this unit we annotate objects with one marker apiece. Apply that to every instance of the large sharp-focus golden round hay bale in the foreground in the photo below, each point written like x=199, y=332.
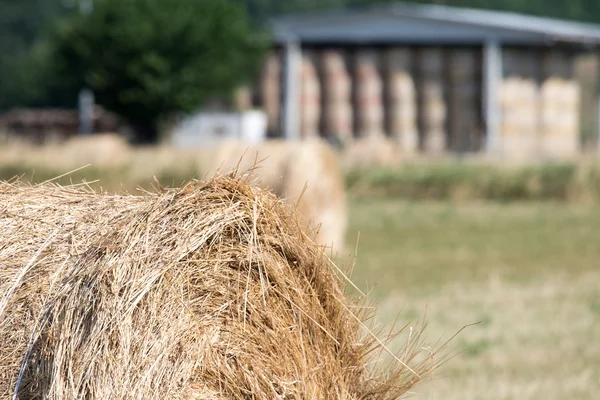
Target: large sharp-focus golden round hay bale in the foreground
x=208, y=292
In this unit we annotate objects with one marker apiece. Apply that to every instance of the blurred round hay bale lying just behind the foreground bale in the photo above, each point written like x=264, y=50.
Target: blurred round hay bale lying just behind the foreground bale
x=304, y=173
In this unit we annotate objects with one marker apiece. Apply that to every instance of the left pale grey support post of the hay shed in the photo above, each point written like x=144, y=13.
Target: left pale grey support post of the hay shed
x=293, y=64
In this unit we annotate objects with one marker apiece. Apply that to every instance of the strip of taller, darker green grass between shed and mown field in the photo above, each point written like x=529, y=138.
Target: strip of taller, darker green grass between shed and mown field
x=463, y=181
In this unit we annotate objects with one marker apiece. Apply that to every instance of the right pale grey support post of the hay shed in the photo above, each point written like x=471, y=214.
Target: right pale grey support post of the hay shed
x=492, y=76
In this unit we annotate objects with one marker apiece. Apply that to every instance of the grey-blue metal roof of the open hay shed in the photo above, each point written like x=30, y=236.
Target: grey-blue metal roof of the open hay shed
x=435, y=24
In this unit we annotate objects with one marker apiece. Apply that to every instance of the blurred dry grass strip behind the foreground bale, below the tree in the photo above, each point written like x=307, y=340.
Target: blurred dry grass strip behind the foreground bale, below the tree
x=108, y=157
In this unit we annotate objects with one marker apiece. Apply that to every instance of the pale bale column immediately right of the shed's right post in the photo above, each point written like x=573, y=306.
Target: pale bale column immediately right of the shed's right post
x=519, y=105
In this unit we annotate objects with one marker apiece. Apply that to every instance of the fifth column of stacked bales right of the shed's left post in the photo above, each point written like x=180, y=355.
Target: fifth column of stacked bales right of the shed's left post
x=432, y=103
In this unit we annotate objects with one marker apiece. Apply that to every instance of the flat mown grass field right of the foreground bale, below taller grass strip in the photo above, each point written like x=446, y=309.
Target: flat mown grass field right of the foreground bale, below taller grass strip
x=528, y=272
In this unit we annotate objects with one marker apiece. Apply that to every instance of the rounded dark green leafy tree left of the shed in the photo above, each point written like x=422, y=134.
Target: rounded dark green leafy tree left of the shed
x=147, y=59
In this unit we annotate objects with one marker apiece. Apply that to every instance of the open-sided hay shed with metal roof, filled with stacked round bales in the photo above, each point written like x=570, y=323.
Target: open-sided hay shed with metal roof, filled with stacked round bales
x=434, y=78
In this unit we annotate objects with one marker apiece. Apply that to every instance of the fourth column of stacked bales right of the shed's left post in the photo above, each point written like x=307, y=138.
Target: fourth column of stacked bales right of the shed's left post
x=401, y=98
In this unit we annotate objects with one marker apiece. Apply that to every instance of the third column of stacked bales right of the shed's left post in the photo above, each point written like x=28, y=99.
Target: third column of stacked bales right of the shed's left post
x=368, y=94
